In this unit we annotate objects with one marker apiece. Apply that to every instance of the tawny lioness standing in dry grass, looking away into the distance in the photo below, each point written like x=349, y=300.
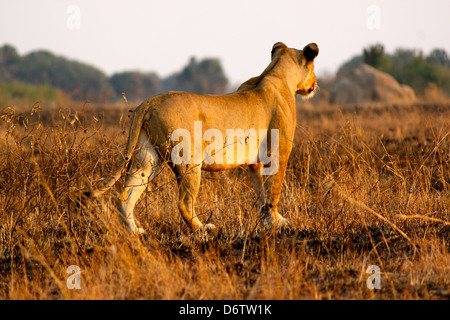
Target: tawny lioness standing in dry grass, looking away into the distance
x=264, y=102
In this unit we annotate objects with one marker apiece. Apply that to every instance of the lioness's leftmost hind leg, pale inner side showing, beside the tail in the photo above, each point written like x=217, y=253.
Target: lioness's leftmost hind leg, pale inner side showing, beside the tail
x=144, y=166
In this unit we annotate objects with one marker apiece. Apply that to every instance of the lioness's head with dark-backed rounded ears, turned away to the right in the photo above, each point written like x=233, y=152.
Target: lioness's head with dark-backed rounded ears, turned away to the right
x=303, y=61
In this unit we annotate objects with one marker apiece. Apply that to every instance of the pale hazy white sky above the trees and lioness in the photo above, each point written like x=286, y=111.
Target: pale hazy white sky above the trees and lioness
x=161, y=36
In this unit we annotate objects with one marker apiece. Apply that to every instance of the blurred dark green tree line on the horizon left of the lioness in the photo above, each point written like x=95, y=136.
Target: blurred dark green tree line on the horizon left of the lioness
x=84, y=82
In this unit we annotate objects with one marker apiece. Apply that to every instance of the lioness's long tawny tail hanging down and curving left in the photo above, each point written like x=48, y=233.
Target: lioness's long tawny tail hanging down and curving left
x=136, y=124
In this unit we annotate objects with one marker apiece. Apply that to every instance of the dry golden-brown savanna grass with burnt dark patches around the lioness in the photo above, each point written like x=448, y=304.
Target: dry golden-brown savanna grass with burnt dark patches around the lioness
x=365, y=186
